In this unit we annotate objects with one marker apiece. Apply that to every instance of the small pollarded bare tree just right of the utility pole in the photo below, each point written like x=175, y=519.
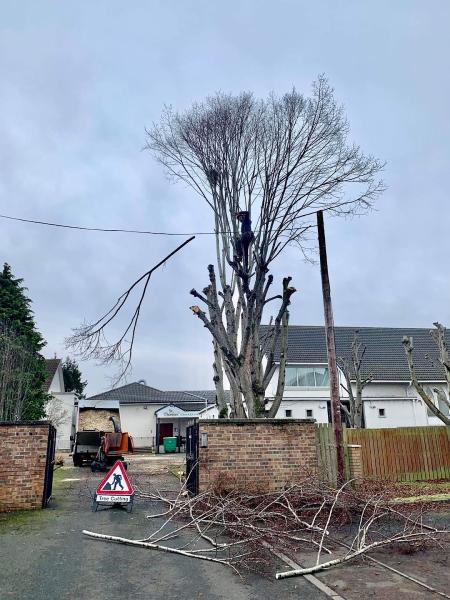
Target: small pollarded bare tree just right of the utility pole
x=355, y=381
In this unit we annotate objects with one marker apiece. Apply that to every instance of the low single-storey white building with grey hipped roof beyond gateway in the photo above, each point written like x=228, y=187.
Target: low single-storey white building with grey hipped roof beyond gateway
x=149, y=414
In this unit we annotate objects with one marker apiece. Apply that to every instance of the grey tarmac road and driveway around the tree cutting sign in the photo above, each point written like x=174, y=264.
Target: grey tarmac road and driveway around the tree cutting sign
x=44, y=556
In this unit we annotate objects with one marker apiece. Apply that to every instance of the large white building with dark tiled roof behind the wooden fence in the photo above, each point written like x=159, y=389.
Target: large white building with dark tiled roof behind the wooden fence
x=389, y=399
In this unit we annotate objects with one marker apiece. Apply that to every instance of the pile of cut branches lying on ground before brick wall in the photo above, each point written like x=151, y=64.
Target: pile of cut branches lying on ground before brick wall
x=241, y=529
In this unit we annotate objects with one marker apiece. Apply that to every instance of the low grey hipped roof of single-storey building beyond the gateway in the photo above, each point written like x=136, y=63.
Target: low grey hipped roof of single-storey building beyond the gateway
x=139, y=393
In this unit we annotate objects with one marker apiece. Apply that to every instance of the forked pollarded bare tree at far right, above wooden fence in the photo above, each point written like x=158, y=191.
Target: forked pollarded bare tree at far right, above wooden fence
x=438, y=335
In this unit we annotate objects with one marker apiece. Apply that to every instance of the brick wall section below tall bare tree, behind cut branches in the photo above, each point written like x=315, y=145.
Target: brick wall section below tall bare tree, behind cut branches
x=256, y=455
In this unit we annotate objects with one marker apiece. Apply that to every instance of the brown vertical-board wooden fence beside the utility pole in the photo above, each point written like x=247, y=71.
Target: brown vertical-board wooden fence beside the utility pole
x=398, y=454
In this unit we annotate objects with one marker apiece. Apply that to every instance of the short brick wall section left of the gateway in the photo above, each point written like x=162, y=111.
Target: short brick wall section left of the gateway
x=23, y=451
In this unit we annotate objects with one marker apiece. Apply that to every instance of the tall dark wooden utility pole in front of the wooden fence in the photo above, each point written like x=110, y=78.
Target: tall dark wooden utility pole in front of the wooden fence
x=331, y=350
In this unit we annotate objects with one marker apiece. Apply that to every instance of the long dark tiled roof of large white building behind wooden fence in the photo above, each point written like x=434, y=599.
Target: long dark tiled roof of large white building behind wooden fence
x=384, y=357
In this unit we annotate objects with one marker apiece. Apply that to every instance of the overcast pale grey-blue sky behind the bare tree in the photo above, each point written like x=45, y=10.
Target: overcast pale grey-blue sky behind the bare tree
x=81, y=80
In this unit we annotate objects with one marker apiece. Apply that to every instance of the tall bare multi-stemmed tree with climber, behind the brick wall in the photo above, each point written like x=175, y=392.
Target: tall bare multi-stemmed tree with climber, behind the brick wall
x=273, y=162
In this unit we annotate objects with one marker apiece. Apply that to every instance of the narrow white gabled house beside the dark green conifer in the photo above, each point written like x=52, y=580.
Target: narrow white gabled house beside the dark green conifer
x=60, y=408
